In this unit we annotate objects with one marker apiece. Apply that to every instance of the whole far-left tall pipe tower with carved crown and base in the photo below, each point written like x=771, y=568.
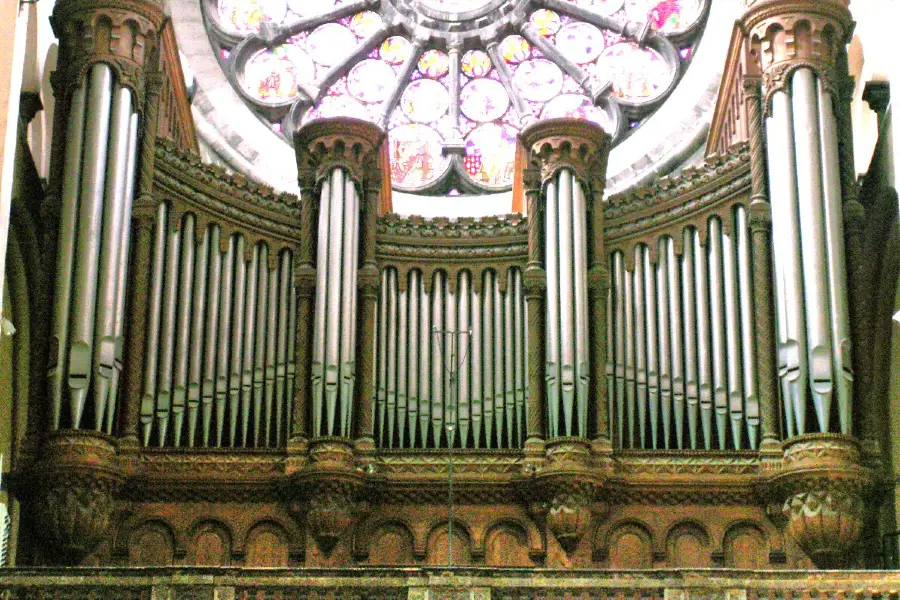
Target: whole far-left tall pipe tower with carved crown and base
x=104, y=88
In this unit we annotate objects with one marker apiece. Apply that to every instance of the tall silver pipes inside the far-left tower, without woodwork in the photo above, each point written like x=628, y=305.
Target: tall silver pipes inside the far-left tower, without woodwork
x=97, y=193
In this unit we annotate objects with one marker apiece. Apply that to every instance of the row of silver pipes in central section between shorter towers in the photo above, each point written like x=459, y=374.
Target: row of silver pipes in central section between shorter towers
x=451, y=354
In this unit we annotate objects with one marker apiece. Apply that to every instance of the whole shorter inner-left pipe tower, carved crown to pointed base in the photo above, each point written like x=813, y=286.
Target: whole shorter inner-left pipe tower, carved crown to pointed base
x=339, y=159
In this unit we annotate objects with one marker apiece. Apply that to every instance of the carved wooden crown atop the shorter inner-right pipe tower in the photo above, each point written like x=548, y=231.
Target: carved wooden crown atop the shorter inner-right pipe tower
x=556, y=144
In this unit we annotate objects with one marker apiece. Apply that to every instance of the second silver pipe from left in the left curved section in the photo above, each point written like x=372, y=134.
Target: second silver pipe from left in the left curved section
x=167, y=343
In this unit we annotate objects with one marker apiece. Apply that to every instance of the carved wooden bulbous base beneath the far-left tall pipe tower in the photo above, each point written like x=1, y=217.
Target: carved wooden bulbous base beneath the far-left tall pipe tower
x=75, y=484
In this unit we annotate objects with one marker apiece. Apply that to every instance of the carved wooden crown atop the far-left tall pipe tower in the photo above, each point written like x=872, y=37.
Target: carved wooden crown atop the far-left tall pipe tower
x=123, y=34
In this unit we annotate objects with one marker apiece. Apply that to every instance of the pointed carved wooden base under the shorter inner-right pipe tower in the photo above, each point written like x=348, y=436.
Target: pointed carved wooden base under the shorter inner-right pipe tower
x=564, y=491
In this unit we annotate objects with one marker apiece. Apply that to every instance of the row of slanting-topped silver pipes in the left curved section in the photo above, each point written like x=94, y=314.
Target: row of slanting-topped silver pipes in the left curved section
x=220, y=343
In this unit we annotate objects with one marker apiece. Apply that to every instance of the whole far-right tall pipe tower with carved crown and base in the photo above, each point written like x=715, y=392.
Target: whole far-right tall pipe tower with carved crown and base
x=821, y=482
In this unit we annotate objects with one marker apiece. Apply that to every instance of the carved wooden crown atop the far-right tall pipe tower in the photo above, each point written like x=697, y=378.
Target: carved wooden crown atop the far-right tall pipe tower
x=786, y=35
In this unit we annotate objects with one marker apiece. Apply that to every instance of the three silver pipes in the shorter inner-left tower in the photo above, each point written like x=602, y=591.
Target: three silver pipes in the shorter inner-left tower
x=334, y=327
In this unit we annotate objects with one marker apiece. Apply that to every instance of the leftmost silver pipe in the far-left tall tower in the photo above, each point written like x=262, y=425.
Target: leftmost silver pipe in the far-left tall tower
x=68, y=225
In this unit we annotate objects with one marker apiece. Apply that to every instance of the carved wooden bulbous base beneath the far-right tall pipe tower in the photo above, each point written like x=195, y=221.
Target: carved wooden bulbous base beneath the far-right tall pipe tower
x=823, y=487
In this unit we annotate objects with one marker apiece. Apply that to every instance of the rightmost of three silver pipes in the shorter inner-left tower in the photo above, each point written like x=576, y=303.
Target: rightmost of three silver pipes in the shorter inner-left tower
x=348, y=269
